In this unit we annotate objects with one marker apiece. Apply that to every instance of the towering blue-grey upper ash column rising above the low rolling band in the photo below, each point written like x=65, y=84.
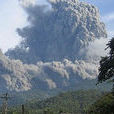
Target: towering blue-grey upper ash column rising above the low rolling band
x=59, y=33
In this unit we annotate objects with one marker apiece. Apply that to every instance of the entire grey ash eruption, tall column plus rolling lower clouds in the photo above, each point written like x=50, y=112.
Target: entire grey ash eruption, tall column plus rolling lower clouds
x=56, y=44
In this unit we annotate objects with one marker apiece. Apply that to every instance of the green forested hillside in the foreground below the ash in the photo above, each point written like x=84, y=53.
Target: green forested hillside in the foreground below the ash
x=76, y=102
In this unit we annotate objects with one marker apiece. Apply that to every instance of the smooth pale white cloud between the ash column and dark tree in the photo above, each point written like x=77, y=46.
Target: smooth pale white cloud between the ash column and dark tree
x=96, y=49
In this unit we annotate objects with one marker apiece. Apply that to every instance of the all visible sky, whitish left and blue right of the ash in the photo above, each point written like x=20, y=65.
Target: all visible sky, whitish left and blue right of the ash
x=12, y=16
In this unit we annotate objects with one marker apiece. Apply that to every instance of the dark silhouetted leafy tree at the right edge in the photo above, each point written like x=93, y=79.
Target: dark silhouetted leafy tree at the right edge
x=106, y=69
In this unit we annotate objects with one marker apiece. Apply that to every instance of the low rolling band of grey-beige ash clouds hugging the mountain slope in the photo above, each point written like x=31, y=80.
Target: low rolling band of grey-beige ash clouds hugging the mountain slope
x=16, y=76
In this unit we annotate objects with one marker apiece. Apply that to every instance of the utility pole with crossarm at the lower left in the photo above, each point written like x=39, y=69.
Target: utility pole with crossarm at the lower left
x=5, y=98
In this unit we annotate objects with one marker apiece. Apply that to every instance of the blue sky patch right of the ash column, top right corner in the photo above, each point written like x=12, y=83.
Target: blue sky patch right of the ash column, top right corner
x=106, y=9
